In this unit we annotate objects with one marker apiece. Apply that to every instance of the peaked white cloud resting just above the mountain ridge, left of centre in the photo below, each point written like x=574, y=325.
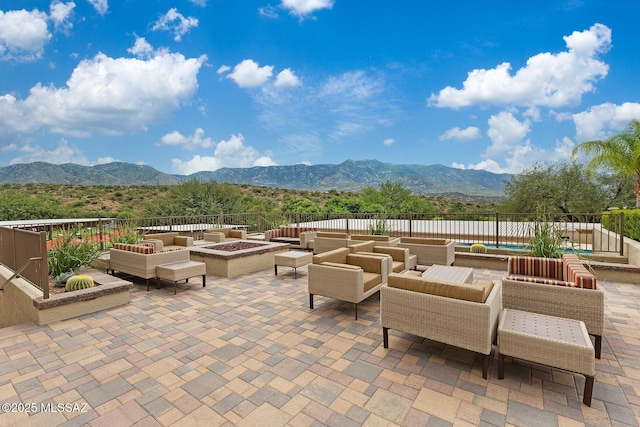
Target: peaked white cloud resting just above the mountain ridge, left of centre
x=232, y=153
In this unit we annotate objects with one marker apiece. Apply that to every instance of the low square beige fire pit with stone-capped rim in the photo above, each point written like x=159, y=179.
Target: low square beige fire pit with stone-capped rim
x=231, y=259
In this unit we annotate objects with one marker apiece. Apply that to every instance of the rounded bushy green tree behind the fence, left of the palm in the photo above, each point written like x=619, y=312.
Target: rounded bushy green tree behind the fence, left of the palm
x=554, y=188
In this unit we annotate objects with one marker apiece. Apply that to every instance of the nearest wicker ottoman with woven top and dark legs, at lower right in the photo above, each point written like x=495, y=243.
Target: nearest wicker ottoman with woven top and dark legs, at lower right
x=547, y=340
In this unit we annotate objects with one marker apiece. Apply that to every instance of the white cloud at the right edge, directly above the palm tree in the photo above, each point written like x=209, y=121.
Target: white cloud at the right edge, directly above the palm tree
x=601, y=121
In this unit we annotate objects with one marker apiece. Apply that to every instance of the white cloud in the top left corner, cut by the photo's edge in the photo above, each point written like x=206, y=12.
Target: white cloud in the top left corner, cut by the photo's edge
x=23, y=35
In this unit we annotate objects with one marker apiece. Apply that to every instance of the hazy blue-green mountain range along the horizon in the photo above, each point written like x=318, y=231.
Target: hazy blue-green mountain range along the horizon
x=347, y=176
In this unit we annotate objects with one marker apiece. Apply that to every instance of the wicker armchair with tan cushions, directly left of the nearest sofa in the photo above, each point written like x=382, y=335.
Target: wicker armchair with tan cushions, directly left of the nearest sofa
x=345, y=276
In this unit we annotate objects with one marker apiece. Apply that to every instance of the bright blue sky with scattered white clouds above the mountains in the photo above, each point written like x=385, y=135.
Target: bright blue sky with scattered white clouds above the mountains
x=194, y=85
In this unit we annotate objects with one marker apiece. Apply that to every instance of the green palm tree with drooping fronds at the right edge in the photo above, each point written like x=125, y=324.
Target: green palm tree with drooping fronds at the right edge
x=620, y=154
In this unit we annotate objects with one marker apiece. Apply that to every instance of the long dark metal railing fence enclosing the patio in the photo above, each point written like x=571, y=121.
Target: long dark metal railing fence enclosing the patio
x=581, y=231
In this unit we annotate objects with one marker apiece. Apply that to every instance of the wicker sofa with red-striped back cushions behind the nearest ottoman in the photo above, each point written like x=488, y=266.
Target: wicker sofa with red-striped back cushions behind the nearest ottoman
x=556, y=287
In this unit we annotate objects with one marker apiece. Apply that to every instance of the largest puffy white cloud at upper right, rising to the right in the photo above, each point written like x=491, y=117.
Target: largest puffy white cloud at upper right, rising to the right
x=551, y=80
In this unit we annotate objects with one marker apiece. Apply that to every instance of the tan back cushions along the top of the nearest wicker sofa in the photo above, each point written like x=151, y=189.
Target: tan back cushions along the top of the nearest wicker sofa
x=477, y=292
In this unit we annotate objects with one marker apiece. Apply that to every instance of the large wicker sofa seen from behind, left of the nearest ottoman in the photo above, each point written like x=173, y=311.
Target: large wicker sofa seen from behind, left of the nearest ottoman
x=459, y=314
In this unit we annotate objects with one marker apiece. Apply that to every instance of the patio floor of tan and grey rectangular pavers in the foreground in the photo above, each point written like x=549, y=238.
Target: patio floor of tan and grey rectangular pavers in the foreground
x=248, y=351
